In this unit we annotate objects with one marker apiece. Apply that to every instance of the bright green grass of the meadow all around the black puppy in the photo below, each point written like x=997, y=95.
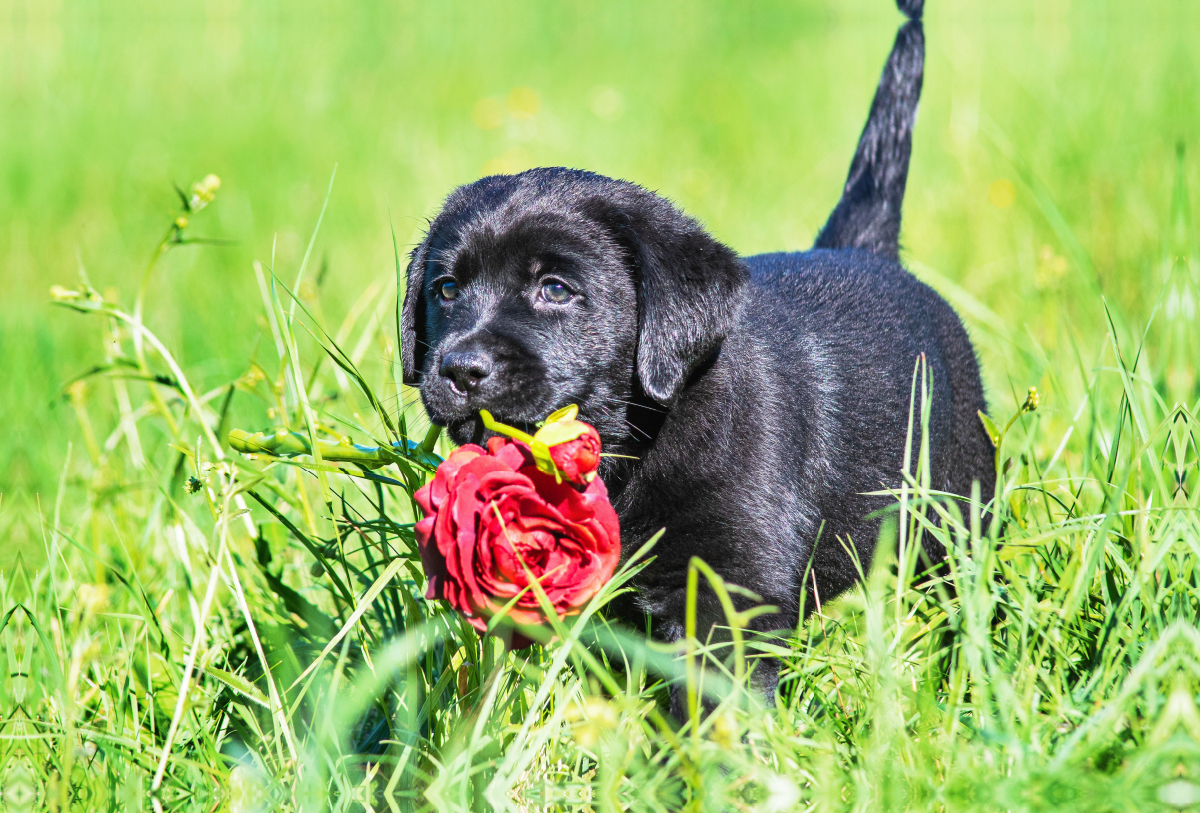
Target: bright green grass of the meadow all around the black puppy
x=189, y=629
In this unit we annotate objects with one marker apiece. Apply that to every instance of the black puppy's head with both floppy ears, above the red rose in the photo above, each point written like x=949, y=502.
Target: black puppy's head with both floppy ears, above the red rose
x=554, y=287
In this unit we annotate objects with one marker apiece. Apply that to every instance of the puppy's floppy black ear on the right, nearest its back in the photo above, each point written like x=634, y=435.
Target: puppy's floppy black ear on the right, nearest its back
x=689, y=292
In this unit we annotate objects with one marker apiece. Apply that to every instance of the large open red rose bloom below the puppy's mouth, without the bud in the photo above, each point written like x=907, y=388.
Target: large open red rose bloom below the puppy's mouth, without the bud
x=488, y=511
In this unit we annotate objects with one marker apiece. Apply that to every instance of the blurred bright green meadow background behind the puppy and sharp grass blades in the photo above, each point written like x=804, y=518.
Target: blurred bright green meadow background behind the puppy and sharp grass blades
x=1043, y=123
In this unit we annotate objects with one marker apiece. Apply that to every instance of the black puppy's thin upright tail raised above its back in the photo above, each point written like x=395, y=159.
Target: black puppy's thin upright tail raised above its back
x=868, y=216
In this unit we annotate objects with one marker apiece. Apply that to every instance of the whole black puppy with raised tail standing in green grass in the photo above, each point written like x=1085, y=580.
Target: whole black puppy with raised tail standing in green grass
x=761, y=396
